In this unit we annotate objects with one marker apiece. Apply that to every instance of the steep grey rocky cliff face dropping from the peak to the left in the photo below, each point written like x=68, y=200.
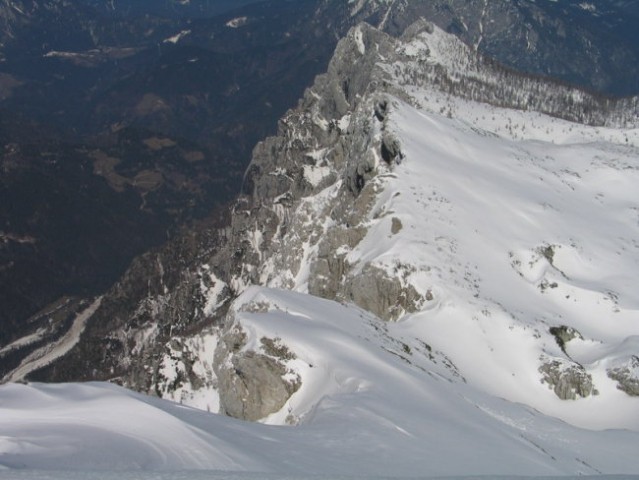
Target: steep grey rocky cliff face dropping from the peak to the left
x=273, y=228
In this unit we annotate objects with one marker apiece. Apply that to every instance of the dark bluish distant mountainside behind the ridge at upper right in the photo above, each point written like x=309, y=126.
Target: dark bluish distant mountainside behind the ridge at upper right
x=593, y=44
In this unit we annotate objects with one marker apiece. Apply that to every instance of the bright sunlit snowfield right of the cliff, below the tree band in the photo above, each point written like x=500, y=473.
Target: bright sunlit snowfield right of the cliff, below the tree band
x=489, y=203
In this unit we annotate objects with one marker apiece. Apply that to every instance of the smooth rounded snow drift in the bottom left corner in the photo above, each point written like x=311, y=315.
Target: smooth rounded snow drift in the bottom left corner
x=101, y=427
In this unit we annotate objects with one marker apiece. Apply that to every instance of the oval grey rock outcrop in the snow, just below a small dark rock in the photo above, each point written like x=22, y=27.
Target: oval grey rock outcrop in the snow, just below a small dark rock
x=567, y=379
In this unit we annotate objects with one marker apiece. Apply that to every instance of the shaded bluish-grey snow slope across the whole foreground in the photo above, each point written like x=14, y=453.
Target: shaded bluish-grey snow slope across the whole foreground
x=369, y=404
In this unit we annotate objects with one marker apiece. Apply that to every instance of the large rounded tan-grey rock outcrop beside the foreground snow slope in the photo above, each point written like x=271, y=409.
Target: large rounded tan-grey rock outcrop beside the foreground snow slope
x=251, y=384
